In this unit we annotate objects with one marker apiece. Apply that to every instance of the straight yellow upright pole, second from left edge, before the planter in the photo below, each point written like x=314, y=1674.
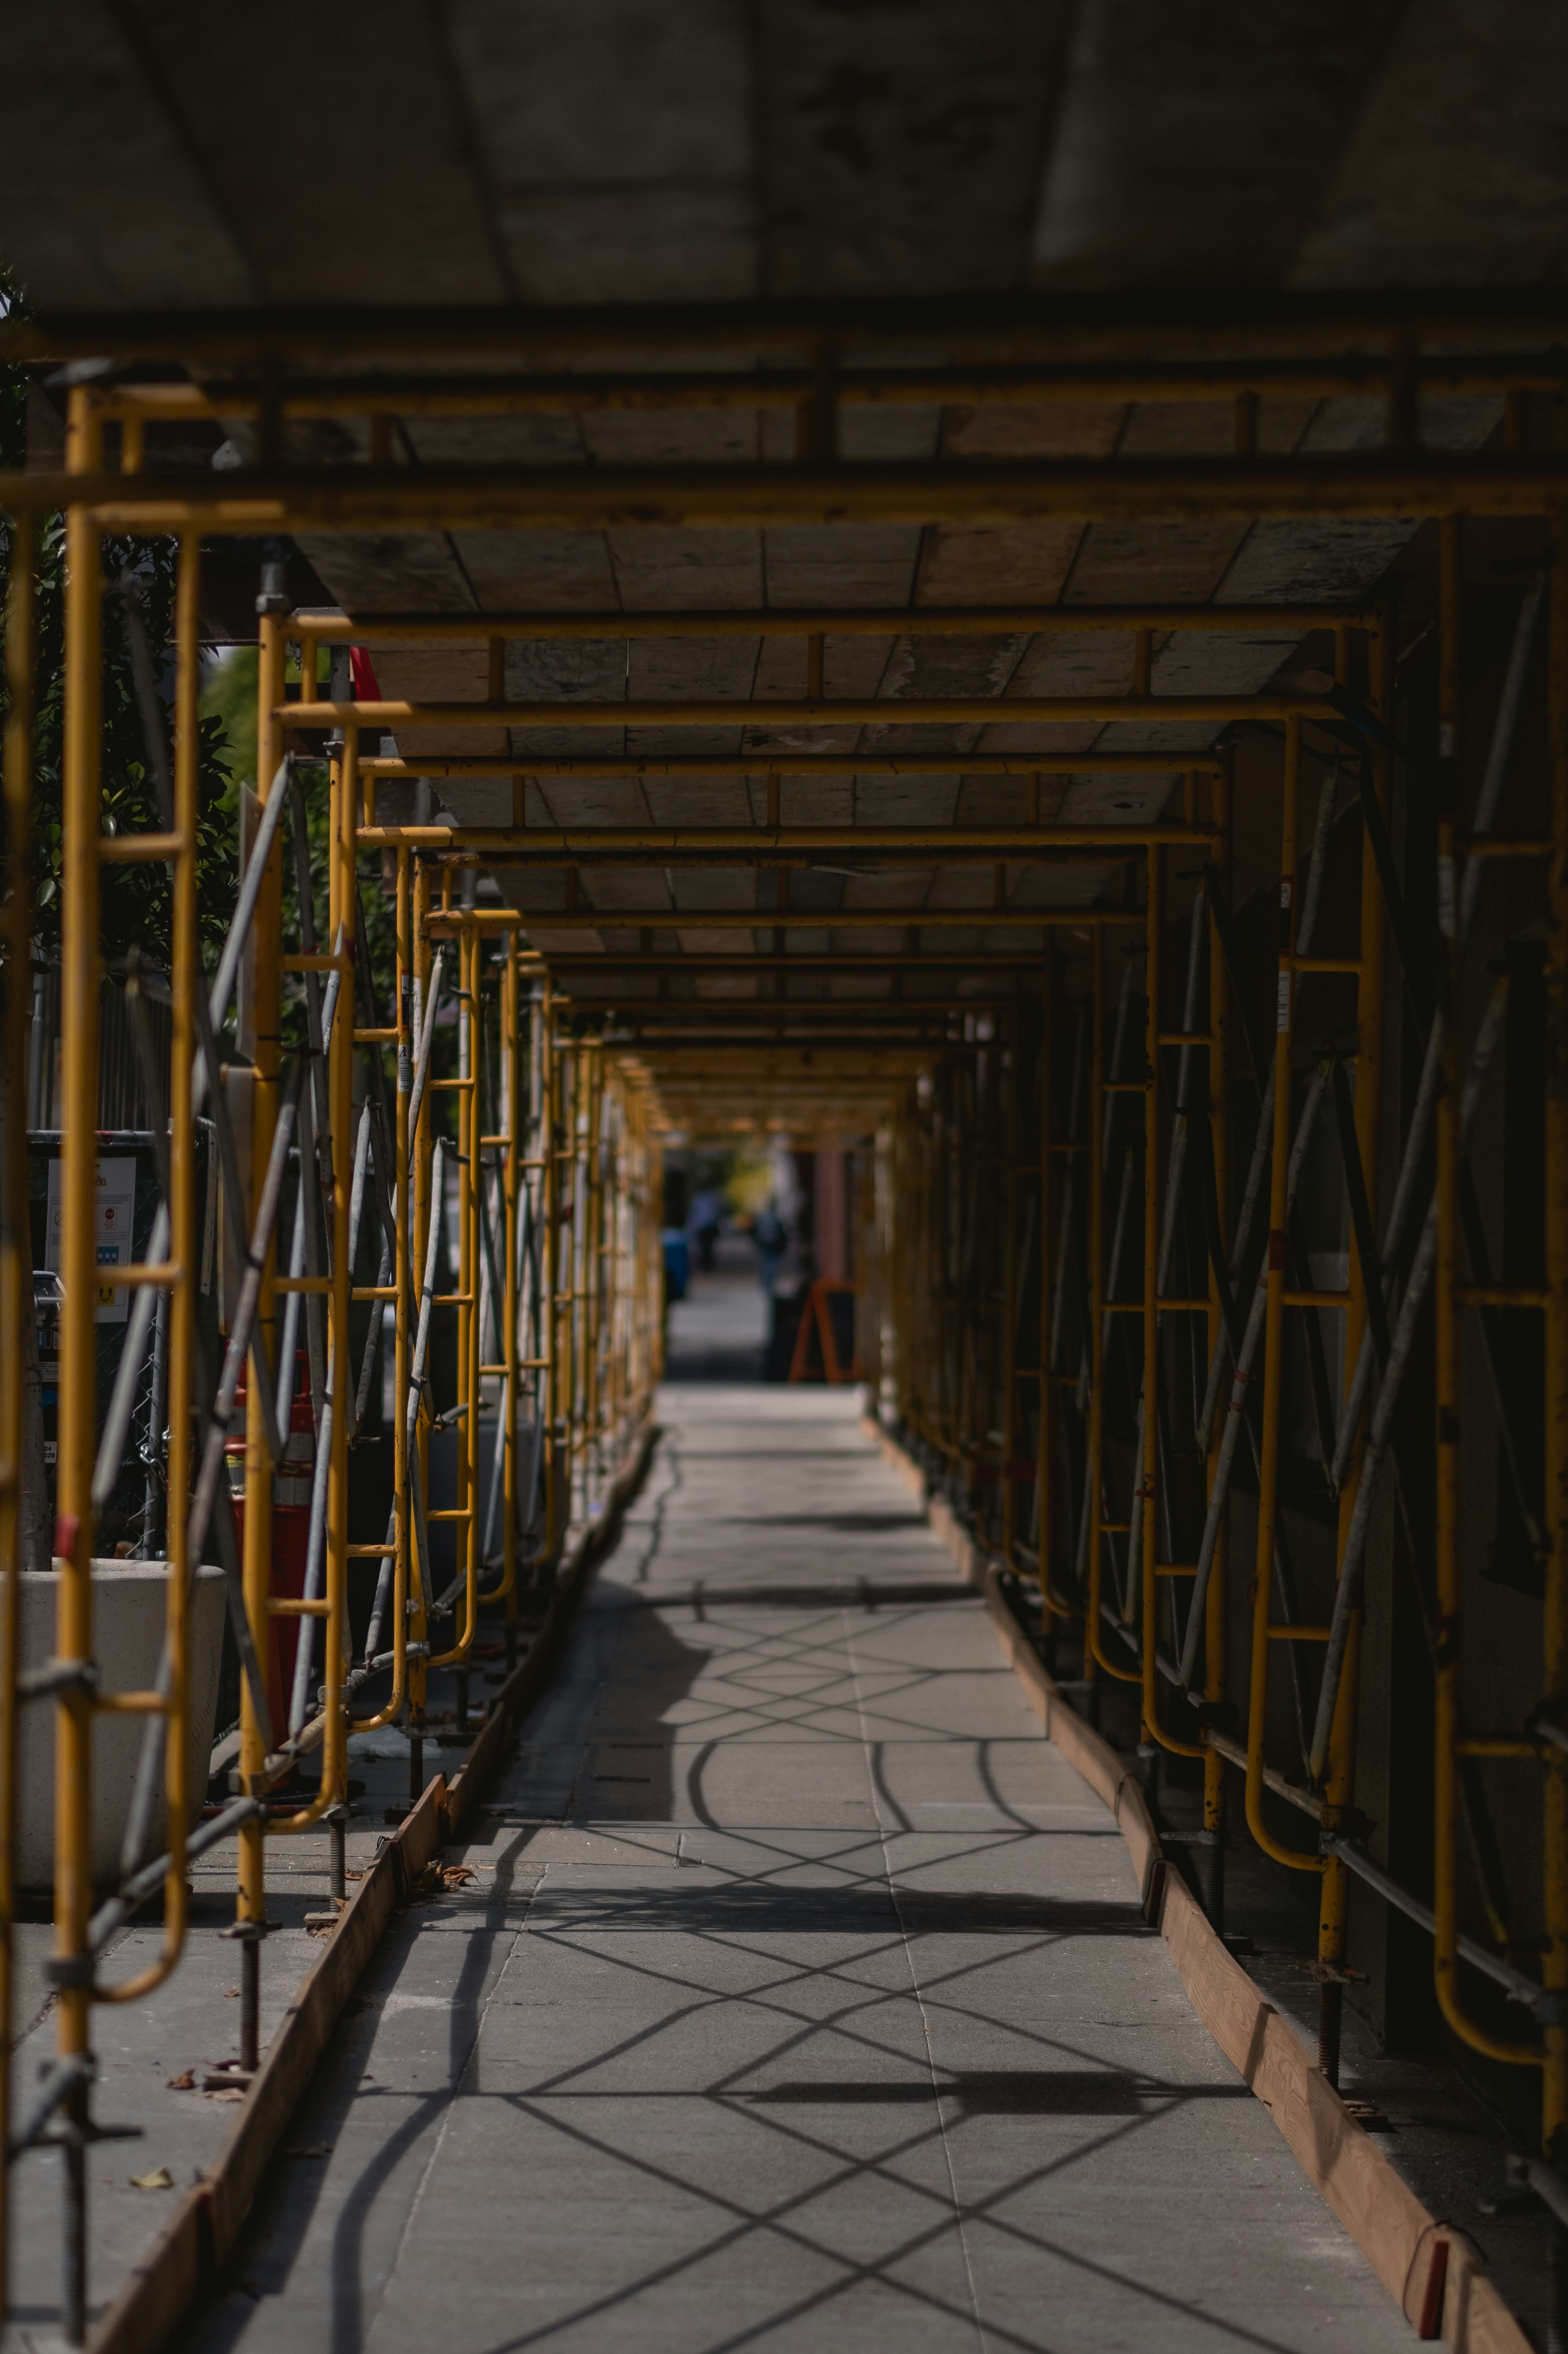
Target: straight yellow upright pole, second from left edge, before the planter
x=81, y=976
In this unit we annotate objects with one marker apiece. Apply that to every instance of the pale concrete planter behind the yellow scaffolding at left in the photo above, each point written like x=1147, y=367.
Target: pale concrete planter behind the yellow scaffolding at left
x=128, y=1616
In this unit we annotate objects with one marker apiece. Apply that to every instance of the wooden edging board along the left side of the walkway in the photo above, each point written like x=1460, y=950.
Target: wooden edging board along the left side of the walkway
x=208, y=2221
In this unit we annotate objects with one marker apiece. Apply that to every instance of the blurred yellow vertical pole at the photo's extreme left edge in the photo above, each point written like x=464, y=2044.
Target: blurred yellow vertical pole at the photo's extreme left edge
x=15, y=1254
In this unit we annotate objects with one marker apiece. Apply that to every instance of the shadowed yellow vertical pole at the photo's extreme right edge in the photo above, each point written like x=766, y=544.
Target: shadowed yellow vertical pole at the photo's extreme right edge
x=1555, y=1625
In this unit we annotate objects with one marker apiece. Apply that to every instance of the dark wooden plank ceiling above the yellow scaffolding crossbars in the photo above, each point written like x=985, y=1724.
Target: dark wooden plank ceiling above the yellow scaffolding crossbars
x=715, y=175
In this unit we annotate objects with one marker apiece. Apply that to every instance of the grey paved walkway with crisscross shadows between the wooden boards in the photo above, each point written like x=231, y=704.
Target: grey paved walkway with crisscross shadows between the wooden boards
x=802, y=1997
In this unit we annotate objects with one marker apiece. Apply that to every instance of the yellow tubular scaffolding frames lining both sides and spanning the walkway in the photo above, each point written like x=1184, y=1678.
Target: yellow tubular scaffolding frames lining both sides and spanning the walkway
x=578, y=1169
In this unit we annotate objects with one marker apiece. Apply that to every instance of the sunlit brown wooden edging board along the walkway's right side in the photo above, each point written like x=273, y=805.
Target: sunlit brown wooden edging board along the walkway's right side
x=1402, y=2242
